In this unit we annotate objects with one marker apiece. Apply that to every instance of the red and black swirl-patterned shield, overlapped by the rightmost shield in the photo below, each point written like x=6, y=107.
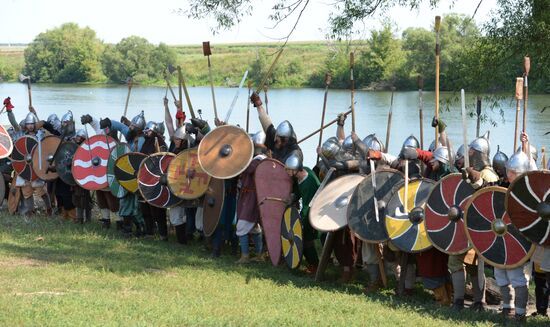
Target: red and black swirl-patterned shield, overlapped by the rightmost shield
x=491, y=231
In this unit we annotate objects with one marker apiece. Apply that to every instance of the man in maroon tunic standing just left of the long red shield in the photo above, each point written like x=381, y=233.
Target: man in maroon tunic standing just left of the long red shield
x=248, y=212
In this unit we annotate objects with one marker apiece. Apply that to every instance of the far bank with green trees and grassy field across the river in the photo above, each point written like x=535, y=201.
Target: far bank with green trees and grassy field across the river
x=71, y=54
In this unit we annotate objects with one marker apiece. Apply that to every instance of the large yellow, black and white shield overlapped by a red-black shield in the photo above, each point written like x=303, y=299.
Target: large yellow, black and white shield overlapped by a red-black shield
x=407, y=230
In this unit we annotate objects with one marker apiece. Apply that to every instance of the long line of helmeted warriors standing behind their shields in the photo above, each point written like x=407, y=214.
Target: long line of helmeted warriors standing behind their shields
x=240, y=224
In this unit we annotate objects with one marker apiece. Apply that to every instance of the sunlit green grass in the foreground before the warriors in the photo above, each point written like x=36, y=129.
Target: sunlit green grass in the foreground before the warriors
x=57, y=273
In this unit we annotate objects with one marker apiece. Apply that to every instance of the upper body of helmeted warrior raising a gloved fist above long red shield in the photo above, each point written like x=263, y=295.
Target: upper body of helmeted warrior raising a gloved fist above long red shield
x=281, y=140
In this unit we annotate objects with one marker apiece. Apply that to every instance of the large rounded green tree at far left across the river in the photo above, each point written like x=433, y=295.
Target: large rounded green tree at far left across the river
x=65, y=54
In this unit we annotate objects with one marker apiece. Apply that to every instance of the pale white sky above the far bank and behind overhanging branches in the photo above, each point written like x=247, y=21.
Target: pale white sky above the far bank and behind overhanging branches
x=158, y=20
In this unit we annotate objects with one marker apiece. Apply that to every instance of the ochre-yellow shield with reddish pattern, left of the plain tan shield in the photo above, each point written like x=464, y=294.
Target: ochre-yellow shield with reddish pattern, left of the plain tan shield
x=186, y=179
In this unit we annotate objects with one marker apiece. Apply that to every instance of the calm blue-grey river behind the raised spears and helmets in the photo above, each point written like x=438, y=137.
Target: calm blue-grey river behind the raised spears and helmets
x=302, y=107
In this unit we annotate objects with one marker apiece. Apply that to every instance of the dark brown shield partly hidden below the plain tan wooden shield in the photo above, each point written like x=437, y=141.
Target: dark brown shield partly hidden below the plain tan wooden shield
x=213, y=205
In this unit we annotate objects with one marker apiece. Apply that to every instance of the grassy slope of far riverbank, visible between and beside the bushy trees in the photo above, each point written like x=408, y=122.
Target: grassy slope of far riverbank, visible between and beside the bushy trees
x=300, y=62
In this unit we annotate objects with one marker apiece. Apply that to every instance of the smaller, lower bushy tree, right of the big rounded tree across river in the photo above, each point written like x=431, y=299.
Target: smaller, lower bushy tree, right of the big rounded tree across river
x=135, y=57
